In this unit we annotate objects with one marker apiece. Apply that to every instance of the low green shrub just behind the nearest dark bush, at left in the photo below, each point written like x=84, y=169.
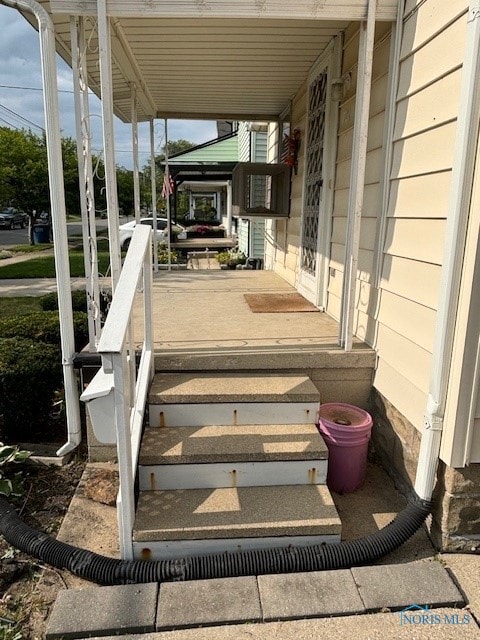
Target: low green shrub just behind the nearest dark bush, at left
x=44, y=326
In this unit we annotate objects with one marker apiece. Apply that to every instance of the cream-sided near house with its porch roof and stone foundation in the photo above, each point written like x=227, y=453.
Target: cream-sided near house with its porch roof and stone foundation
x=383, y=233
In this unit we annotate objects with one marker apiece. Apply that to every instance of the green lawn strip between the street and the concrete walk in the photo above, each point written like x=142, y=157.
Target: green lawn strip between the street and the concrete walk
x=44, y=267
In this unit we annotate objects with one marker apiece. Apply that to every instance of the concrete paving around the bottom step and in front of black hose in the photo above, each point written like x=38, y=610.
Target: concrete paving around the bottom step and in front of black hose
x=364, y=602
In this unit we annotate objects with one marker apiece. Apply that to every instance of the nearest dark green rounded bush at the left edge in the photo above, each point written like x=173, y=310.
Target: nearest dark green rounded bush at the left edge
x=30, y=373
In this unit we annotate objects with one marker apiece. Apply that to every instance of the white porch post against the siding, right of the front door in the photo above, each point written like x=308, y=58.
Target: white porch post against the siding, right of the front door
x=357, y=176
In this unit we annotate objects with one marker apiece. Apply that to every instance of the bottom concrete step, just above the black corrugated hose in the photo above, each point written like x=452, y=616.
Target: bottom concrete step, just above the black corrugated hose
x=172, y=524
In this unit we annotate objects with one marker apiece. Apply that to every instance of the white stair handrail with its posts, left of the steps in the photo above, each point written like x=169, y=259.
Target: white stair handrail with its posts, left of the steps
x=130, y=386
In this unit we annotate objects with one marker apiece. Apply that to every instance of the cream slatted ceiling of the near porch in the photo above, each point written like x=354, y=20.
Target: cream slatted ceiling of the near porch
x=183, y=64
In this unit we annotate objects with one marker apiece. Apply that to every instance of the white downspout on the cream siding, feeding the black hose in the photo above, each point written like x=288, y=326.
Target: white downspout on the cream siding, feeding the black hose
x=455, y=235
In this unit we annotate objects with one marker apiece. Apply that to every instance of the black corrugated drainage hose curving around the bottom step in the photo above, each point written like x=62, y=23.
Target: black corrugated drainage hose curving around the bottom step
x=110, y=571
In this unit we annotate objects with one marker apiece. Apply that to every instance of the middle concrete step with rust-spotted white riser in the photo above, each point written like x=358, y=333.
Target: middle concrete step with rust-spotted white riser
x=226, y=456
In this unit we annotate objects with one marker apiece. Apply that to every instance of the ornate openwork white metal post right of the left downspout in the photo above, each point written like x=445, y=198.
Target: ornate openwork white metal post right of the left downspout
x=85, y=178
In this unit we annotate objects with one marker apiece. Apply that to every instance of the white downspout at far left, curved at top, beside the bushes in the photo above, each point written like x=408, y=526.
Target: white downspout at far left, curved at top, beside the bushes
x=59, y=218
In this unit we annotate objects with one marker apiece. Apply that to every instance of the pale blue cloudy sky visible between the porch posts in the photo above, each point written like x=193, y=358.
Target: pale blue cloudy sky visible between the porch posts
x=21, y=98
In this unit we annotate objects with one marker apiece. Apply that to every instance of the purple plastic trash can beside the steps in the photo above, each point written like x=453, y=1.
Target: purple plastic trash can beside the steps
x=346, y=430
